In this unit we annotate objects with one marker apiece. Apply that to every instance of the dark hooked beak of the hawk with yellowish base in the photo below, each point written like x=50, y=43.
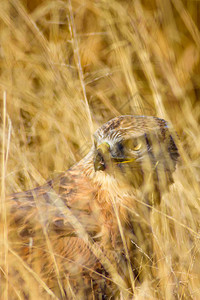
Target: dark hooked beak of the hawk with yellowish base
x=101, y=156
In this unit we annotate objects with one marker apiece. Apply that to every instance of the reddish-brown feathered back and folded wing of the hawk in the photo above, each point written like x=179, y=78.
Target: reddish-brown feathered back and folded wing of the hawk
x=49, y=227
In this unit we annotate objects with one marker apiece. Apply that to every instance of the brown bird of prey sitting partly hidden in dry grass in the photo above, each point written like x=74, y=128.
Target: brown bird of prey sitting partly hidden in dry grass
x=74, y=235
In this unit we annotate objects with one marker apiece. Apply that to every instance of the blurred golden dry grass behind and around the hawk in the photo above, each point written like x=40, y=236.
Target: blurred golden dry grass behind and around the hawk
x=66, y=67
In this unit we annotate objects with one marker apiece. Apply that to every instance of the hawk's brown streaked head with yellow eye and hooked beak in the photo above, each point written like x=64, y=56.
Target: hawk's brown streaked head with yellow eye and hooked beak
x=135, y=150
